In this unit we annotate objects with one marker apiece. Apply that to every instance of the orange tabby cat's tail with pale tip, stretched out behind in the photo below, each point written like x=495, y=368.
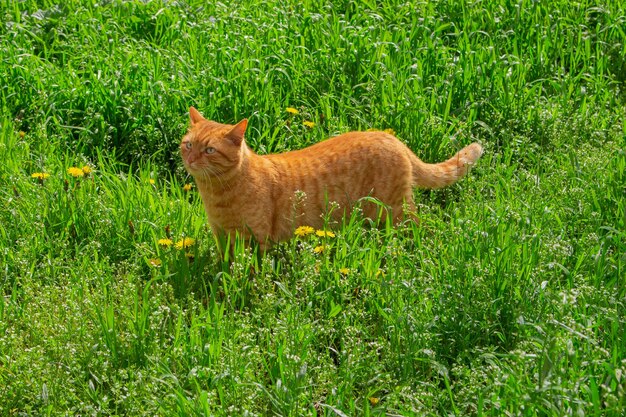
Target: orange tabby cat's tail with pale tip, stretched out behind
x=445, y=173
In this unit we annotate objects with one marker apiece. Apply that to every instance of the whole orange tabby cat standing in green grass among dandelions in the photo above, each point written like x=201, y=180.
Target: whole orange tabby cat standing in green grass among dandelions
x=267, y=197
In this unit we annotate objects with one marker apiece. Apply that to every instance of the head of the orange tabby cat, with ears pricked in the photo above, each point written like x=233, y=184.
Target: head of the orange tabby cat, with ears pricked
x=212, y=149
